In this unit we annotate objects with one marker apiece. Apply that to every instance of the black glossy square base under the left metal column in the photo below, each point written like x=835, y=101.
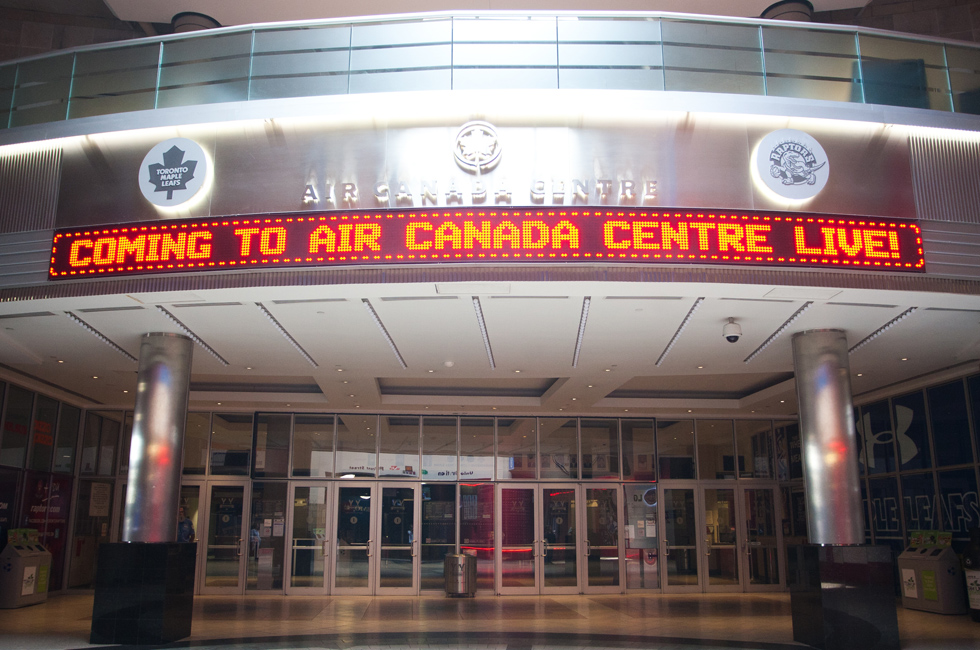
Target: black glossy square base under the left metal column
x=144, y=593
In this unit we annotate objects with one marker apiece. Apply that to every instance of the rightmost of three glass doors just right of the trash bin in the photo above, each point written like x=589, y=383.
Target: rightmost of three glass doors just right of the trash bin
x=603, y=544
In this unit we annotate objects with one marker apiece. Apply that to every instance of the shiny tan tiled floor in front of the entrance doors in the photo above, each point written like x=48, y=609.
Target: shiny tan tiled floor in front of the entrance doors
x=650, y=622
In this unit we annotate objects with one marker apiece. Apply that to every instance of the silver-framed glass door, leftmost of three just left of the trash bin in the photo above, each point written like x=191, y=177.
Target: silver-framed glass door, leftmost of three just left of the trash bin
x=310, y=529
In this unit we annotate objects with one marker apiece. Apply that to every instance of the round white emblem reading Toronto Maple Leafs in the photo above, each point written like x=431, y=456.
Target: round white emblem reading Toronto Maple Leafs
x=173, y=172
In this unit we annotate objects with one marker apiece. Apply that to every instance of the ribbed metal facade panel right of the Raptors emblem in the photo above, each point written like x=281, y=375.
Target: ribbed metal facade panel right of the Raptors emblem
x=946, y=174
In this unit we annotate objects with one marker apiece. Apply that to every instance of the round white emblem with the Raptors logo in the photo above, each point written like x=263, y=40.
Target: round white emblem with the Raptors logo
x=792, y=164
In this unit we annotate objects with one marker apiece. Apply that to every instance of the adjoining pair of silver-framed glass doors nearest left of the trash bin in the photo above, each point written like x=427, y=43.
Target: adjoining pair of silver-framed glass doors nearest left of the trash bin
x=376, y=544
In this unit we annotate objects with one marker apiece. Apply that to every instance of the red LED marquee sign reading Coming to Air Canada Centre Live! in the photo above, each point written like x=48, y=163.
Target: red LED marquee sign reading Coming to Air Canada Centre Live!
x=471, y=235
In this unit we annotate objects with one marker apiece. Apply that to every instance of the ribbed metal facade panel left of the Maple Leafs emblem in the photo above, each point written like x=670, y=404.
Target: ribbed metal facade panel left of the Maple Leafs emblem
x=29, y=189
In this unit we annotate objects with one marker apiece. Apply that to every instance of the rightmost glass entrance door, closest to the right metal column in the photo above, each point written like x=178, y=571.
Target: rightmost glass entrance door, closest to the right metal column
x=763, y=539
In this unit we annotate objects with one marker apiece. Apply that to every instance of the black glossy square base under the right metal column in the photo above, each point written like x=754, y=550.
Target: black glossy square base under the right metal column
x=843, y=597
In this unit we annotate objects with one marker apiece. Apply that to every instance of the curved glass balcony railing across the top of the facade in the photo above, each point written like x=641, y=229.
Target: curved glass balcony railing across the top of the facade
x=631, y=51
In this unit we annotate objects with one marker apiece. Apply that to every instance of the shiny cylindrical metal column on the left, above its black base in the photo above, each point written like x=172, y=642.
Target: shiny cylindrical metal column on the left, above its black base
x=156, y=453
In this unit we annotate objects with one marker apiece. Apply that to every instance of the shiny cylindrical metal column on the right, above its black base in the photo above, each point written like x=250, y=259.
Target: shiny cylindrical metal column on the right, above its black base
x=829, y=441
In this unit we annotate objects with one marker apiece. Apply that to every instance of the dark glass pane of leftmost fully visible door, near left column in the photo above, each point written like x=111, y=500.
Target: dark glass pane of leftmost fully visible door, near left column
x=224, y=536
